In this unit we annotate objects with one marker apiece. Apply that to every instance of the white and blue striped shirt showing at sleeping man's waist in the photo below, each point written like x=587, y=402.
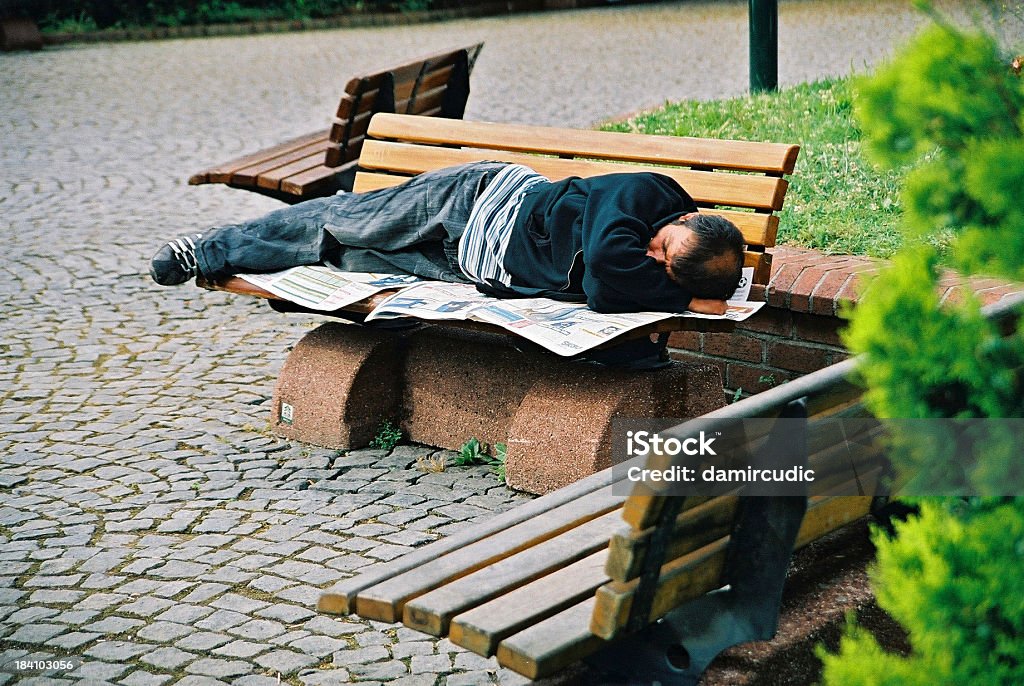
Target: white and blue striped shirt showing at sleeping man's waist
x=482, y=250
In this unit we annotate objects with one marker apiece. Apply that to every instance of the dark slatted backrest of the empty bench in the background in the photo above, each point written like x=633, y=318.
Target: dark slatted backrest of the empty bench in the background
x=437, y=85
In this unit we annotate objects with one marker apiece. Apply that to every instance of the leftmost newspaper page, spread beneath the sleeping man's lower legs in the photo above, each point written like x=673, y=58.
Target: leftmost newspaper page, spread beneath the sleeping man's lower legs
x=324, y=289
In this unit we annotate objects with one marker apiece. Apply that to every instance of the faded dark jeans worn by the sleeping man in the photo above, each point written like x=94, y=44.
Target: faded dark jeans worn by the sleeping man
x=410, y=229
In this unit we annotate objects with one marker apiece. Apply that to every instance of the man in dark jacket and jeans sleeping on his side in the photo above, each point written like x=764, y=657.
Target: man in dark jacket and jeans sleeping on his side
x=625, y=242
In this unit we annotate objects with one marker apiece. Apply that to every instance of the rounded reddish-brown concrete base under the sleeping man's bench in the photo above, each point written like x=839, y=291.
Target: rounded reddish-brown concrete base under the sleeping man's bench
x=446, y=387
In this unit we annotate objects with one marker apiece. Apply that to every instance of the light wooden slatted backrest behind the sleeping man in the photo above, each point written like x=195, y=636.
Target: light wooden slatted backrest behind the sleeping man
x=738, y=180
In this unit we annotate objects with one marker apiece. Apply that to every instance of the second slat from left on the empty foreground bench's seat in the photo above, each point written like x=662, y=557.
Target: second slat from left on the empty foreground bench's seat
x=387, y=601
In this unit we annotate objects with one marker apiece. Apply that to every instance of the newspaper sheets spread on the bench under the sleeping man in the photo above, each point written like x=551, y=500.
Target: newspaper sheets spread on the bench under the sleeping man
x=564, y=328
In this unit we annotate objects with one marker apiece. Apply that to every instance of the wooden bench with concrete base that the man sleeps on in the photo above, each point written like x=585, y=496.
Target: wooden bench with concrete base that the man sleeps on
x=421, y=378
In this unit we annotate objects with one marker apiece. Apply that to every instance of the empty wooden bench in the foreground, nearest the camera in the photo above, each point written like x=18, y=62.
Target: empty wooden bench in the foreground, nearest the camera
x=584, y=572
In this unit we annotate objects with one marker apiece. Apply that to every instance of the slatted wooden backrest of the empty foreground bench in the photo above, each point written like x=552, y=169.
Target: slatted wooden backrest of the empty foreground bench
x=690, y=555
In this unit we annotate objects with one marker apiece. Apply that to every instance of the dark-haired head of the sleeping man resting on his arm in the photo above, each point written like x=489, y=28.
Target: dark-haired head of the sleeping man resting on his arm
x=704, y=253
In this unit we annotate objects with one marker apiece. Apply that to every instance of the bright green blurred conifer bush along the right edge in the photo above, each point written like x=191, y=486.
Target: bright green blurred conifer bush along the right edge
x=951, y=576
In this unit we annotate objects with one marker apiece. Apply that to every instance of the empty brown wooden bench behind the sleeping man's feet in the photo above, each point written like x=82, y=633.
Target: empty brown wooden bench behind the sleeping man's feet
x=324, y=162
